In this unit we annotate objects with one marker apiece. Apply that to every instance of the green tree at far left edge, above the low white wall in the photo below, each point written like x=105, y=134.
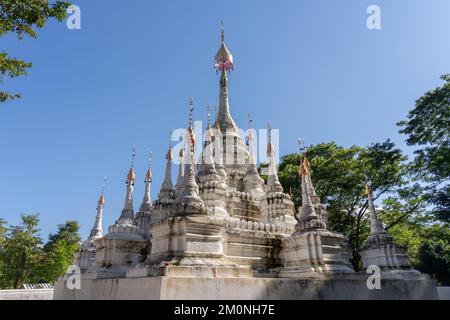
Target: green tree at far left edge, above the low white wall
x=21, y=253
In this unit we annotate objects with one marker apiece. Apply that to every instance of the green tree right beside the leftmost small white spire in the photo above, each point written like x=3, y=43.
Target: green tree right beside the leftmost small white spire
x=59, y=251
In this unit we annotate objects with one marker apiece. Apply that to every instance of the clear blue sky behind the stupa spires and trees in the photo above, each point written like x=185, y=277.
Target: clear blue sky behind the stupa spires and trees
x=311, y=68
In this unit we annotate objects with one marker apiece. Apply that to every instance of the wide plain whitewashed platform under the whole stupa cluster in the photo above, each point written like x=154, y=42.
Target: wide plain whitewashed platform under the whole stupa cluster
x=342, y=287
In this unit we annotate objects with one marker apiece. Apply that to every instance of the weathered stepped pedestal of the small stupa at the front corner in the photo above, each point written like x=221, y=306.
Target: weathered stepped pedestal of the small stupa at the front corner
x=189, y=244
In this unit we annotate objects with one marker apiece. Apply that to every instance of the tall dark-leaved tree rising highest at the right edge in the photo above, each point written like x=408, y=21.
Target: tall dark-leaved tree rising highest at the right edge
x=428, y=129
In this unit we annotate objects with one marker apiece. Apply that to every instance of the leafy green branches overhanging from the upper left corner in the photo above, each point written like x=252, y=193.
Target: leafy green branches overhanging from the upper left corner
x=23, y=17
